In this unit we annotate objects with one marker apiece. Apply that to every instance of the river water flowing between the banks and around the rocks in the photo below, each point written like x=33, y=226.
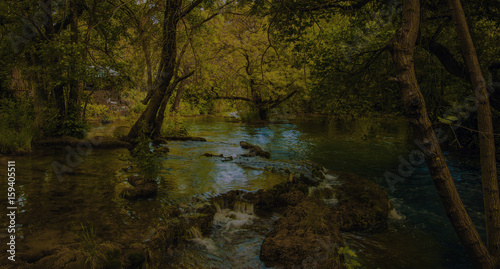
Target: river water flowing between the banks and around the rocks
x=419, y=233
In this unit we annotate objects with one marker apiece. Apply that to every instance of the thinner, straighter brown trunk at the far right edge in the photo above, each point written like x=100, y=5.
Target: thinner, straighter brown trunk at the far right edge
x=485, y=126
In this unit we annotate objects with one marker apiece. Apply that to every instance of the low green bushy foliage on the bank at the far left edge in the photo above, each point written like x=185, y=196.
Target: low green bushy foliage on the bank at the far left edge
x=17, y=130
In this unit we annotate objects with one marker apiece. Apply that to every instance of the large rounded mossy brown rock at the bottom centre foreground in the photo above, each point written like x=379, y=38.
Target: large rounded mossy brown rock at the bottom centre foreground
x=306, y=237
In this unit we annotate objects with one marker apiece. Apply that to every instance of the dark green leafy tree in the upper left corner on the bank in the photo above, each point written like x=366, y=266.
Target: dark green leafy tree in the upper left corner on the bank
x=56, y=43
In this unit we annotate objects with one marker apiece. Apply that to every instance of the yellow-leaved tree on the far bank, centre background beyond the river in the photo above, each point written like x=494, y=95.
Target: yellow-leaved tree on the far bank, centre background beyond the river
x=247, y=67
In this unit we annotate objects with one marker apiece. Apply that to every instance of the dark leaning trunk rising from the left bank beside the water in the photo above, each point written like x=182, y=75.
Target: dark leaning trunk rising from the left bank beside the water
x=147, y=122
